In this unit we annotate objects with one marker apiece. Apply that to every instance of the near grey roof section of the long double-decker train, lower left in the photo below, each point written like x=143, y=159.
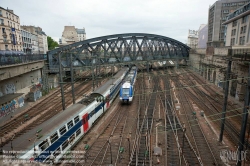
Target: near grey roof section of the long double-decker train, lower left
x=49, y=127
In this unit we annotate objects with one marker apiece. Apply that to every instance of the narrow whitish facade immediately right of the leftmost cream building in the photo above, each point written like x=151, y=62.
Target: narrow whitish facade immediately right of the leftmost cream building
x=27, y=41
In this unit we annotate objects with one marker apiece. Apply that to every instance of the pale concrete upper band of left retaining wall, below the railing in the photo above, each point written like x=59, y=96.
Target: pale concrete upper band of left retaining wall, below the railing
x=10, y=71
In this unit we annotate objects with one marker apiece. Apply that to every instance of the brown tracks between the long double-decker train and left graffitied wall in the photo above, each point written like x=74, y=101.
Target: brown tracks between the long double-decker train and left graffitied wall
x=40, y=112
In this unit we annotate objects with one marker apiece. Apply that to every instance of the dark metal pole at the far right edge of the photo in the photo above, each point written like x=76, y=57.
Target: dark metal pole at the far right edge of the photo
x=244, y=120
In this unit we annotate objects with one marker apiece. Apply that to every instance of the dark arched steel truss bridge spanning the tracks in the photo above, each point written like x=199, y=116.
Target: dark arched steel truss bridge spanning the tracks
x=129, y=48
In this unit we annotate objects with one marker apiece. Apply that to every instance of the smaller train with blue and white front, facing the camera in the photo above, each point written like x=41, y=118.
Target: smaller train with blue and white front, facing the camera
x=127, y=88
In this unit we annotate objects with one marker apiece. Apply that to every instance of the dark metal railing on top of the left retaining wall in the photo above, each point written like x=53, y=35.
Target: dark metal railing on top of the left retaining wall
x=19, y=57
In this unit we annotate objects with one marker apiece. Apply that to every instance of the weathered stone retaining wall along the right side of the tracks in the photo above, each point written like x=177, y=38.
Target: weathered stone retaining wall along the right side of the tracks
x=213, y=65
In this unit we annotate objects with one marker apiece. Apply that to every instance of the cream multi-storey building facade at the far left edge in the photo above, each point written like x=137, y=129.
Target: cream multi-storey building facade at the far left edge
x=10, y=33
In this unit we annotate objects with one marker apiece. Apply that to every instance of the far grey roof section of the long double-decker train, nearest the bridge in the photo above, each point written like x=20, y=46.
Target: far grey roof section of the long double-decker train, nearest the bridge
x=109, y=83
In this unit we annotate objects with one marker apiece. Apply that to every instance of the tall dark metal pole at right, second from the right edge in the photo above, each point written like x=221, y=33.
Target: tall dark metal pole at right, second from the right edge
x=226, y=95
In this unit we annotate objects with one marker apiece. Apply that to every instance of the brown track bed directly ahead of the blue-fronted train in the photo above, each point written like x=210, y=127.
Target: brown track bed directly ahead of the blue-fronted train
x=109, y=140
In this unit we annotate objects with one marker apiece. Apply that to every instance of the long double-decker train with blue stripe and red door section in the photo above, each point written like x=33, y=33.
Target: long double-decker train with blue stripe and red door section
x=52, y=138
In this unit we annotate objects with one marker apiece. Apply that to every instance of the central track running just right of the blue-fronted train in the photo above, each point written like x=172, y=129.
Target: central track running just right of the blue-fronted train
x=141, y=154
